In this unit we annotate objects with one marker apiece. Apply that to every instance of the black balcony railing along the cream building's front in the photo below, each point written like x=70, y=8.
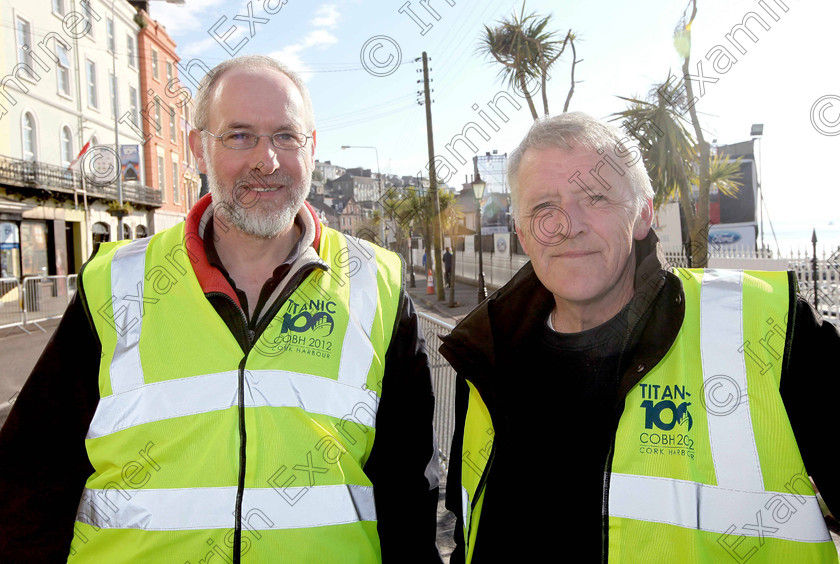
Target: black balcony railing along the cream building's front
x=43, y=176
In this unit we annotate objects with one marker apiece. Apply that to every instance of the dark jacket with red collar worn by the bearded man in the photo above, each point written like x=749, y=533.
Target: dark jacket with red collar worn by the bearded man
x=44, y=464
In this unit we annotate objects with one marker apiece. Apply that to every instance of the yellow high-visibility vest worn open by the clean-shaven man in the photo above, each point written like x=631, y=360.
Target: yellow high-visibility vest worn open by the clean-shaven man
x=705, y=466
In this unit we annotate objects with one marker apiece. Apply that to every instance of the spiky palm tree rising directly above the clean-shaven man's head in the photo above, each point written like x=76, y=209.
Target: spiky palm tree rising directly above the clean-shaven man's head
x=526, y=50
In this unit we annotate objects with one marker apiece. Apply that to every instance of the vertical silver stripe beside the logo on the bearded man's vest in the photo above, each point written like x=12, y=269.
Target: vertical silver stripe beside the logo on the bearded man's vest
x=357, y=350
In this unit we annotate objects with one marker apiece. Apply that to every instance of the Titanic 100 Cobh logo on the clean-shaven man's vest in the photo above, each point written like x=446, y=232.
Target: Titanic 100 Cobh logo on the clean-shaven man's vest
x=667, y=421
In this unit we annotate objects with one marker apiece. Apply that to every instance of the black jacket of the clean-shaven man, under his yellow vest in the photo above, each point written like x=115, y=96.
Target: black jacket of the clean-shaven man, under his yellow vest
x=484, y=347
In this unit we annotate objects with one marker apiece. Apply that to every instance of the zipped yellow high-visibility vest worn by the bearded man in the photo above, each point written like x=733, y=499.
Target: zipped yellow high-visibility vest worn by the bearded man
x=165, y=441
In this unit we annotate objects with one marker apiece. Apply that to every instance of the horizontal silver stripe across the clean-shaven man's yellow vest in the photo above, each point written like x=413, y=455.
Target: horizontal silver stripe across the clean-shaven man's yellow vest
x=717, y=509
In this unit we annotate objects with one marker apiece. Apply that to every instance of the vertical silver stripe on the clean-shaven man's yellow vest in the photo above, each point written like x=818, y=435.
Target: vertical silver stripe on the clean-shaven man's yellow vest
x=731, y=436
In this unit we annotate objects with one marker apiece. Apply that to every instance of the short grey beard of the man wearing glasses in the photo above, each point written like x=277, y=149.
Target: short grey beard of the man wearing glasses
x=243, y=209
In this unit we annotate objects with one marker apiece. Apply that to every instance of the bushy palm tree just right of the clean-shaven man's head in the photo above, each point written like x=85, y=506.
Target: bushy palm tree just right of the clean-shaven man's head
x=675, y=161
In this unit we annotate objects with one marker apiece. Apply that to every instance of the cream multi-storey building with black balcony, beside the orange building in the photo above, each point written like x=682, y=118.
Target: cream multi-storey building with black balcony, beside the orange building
x=69, y=81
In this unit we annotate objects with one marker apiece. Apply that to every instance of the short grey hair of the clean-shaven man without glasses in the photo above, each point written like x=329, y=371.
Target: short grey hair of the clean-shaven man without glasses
x=572, y=129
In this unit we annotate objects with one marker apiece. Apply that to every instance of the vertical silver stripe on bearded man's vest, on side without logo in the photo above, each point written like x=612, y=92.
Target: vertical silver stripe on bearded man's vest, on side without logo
x=128, y=269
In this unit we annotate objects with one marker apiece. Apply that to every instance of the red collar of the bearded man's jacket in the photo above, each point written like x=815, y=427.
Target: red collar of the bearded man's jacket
x=209, y=277
